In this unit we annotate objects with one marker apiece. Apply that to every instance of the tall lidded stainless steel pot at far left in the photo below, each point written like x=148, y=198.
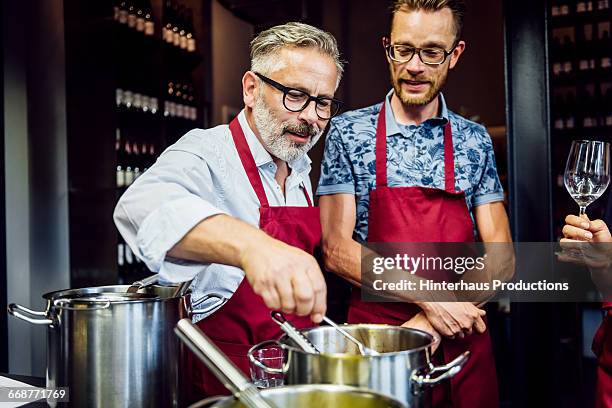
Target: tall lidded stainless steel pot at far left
x=112, y=348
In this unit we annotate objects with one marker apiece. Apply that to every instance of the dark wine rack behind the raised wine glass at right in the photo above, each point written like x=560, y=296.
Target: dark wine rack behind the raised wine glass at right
x=580, y=72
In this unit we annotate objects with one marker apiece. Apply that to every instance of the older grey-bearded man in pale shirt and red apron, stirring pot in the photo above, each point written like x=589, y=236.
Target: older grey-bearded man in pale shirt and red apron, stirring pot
x=235, y=201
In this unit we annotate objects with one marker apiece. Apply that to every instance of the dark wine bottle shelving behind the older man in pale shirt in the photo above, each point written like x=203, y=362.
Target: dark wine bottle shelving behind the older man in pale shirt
x=120, y=115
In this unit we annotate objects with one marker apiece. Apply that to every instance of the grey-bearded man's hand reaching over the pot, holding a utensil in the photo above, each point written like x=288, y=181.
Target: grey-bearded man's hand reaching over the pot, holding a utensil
x=286, y=277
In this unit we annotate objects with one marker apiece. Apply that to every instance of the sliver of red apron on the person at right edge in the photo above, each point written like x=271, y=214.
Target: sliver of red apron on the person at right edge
x=602, y=347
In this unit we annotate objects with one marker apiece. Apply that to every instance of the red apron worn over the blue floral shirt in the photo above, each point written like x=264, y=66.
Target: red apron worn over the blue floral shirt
x=421, y=214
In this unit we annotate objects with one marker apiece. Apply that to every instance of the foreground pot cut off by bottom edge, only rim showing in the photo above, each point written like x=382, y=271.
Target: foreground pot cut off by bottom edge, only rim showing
x=309, y=396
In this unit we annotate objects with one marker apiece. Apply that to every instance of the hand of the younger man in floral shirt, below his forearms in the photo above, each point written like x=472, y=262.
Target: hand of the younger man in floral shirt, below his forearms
x=452, y=319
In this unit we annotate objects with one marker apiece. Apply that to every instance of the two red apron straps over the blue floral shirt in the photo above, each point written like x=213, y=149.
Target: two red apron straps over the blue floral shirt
x=381, y=153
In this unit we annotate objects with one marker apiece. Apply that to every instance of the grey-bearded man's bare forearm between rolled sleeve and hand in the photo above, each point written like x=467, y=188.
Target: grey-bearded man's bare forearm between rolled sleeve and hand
x=218, y=239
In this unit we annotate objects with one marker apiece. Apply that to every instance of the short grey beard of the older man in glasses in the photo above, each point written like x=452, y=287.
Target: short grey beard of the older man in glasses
x=272, y=133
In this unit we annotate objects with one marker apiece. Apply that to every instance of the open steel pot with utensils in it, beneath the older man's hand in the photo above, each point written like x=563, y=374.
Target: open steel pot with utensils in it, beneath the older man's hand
x=404, y=371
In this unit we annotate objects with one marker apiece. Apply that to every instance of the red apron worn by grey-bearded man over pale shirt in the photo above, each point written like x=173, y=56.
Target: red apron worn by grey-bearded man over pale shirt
x=245, y=319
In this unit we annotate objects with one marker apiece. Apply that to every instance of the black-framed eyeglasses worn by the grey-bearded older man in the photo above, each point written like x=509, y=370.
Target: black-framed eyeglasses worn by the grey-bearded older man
x=295, y=100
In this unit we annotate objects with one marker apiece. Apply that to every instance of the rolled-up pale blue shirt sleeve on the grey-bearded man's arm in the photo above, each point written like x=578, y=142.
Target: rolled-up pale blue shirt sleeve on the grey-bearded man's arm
x=162, y=206
